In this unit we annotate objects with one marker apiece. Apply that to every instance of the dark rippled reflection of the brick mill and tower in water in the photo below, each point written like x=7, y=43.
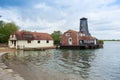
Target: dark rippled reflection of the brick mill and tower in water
x=77, y=61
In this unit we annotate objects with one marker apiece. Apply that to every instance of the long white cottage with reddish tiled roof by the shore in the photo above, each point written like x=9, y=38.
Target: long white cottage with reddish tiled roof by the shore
x=24, y=39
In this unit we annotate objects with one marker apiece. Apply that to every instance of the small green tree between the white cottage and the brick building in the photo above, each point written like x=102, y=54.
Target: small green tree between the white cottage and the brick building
x=56, y=35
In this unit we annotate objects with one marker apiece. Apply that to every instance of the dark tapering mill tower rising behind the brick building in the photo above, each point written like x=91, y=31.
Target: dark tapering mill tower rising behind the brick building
x=84, y=26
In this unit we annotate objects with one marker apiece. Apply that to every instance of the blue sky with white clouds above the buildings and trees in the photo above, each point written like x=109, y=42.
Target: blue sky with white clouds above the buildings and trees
x=52, y=15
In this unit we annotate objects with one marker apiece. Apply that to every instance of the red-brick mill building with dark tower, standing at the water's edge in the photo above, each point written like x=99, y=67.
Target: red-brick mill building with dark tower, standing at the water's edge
x=75, y=39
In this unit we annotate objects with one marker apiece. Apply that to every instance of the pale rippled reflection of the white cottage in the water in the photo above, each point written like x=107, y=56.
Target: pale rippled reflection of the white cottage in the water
x=26, y=57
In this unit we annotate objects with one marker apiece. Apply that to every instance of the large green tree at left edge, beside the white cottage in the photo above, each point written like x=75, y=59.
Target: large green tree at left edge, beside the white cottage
x=6, y=29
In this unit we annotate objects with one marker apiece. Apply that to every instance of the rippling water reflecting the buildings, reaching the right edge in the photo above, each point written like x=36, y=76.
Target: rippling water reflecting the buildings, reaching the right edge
x=94, y=64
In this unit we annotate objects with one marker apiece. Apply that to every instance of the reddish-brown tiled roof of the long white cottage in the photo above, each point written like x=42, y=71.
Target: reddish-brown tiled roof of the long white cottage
x=25, y=35
